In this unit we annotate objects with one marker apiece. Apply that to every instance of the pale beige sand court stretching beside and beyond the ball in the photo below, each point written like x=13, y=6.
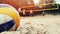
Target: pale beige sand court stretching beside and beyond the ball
x=47, y=24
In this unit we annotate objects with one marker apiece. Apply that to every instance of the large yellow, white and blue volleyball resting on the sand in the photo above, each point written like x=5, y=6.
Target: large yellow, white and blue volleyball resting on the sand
x=9, y=18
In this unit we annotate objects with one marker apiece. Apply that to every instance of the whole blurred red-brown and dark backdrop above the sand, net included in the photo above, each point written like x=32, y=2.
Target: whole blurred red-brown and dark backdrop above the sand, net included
x=34, y=7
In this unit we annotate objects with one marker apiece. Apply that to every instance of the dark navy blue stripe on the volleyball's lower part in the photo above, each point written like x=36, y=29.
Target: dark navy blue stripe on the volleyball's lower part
x=7, y=26
